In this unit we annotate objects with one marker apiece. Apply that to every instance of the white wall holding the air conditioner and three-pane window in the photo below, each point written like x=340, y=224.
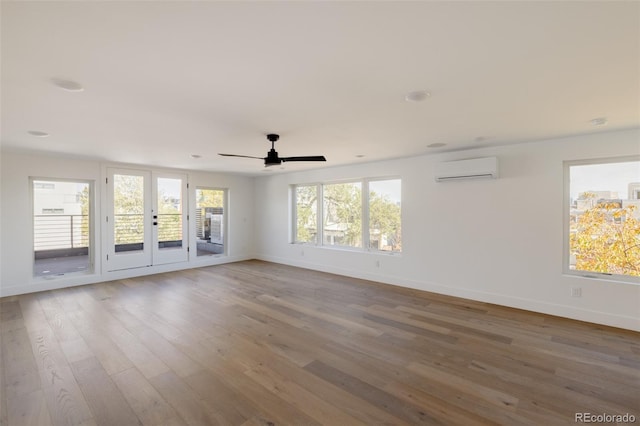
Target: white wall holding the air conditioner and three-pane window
x=498, y=241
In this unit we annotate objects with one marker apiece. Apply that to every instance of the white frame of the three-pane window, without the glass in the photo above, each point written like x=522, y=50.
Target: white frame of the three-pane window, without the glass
x=365, y=215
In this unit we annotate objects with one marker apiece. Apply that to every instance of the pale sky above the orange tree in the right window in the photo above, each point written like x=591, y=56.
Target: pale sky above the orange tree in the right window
x=604, y=177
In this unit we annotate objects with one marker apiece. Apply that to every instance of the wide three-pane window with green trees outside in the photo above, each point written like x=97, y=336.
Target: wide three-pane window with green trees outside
x=363, y=214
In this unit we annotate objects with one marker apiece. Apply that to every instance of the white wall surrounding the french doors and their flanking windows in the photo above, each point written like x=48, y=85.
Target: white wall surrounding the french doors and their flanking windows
x=16, y=251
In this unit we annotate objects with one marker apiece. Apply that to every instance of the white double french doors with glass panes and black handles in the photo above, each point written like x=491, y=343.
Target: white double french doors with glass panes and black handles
x=147, y=218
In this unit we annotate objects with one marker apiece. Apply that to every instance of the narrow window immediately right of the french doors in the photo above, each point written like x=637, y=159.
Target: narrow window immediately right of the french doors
x=210, y=221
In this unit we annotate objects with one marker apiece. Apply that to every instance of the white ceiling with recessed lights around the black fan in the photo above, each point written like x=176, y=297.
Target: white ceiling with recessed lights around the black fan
x=165, y=80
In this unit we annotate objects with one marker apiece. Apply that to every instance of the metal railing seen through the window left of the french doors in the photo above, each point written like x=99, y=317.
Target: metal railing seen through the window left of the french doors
x=52, y=232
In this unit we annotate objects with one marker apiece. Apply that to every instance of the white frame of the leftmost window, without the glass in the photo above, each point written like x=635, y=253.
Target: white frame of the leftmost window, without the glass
x=91, y=226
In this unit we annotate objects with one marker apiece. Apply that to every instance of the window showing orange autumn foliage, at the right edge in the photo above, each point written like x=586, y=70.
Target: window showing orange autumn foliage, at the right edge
x=604, y=218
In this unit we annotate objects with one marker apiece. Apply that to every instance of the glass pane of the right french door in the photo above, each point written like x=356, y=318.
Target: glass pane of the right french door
x=169, y=213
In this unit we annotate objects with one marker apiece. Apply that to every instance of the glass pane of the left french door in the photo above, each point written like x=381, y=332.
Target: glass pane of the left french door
x=128, y=212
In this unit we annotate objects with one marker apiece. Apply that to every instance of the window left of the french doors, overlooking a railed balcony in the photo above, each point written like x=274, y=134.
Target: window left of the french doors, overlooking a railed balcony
x=61, y=235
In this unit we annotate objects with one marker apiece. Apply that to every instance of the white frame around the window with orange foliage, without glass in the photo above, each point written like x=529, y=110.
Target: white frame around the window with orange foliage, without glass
x=566, y=211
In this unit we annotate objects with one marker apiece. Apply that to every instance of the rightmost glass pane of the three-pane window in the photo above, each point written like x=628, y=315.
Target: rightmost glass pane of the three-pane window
x=384, y=215
